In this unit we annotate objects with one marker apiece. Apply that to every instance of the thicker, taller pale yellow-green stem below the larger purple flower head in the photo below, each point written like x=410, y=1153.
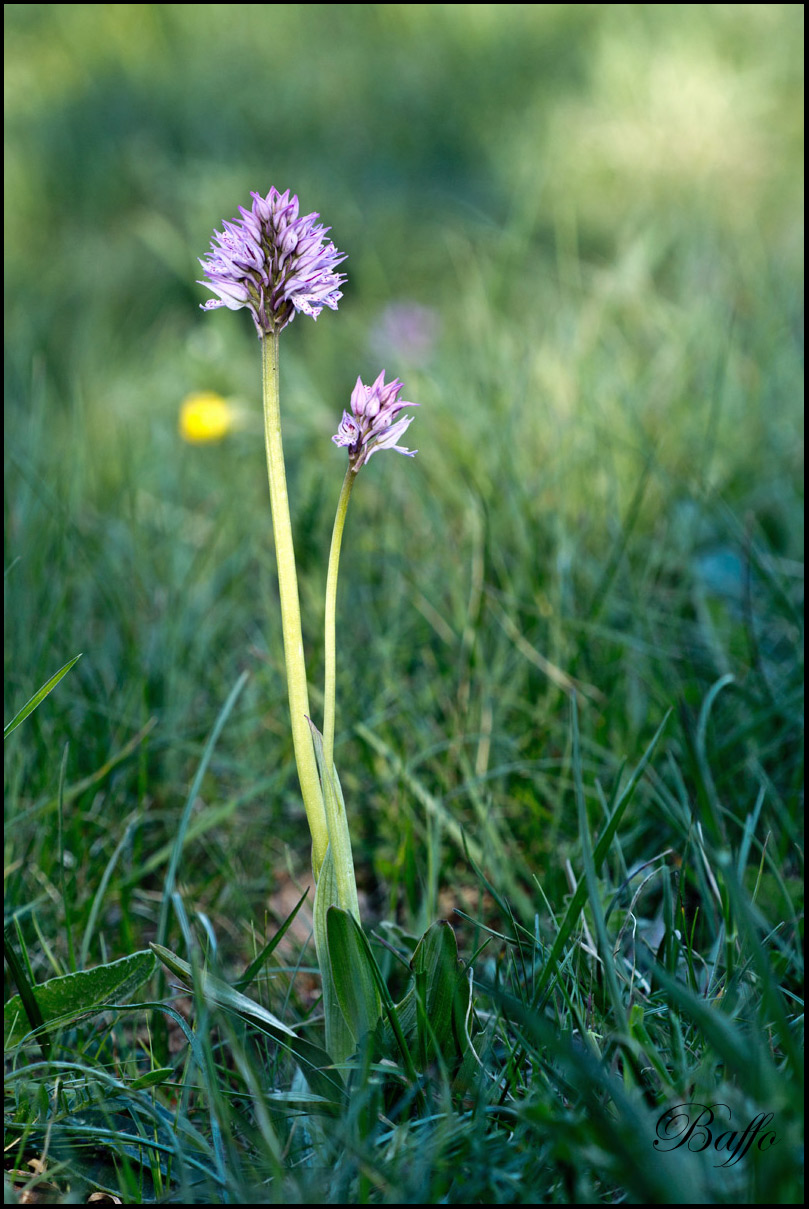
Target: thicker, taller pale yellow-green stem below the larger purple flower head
x=291, y=611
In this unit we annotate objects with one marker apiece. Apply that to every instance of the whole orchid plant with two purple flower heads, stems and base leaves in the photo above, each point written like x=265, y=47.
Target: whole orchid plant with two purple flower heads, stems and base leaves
x=278, y=264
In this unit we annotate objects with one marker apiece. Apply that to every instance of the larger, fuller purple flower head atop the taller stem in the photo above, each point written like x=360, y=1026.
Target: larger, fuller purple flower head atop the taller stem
x=274, y=263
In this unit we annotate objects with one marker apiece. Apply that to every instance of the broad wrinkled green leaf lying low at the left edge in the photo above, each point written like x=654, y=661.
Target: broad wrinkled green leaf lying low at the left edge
x=62, y=1000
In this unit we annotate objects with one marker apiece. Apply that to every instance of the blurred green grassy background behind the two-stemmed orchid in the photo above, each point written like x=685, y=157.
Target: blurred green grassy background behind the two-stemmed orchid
x=575, y=232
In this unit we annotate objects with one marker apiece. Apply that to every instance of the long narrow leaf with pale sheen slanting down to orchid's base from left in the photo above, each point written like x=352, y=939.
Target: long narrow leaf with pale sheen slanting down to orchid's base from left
x=315, y=1062
